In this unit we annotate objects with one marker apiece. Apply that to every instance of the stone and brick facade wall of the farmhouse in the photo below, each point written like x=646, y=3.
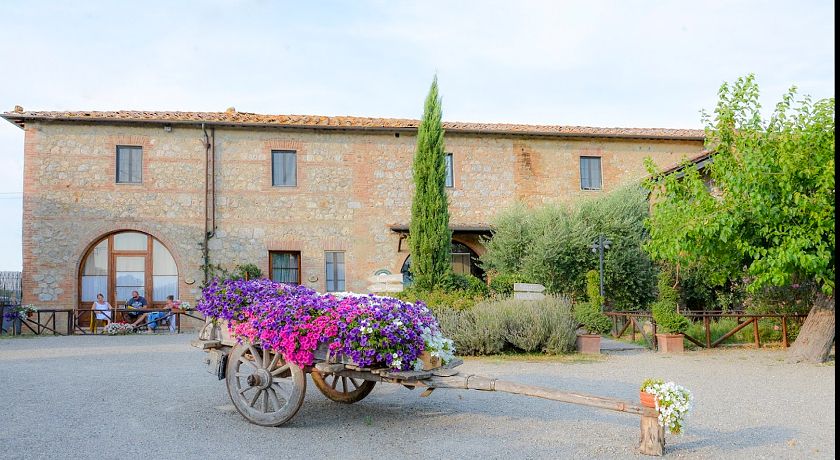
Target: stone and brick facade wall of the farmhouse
x=352, y=186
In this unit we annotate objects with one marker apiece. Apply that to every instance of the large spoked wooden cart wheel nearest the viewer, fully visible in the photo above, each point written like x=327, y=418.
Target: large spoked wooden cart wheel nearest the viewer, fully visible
x=264, y=388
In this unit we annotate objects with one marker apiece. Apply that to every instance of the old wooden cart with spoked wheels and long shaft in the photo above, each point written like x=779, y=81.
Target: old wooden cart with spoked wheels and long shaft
x=269, y=391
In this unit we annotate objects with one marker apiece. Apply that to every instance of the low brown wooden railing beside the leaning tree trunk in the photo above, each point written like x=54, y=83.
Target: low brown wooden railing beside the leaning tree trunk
x=622, y=321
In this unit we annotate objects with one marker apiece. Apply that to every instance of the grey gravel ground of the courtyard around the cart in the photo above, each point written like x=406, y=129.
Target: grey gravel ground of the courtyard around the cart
x=150, y=396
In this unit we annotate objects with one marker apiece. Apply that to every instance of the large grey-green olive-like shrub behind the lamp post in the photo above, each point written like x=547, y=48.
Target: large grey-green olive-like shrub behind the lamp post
x=551, y=245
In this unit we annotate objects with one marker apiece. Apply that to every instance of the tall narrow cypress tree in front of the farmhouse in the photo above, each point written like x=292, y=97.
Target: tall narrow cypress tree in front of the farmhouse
x=429, y=235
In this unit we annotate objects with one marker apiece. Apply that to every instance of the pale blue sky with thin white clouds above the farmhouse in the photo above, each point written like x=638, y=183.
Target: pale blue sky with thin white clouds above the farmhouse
x=594, y=63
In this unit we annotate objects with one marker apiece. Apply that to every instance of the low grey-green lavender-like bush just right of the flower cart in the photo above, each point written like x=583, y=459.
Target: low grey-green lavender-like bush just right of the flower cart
x=492, y=327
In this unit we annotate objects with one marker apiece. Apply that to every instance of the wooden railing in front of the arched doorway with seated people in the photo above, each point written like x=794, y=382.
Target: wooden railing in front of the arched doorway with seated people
x=81, y=320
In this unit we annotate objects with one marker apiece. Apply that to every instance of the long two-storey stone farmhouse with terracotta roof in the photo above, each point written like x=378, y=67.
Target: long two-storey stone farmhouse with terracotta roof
x=129, y=200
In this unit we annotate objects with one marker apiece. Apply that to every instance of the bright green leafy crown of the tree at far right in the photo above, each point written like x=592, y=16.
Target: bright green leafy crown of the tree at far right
x=771, y=208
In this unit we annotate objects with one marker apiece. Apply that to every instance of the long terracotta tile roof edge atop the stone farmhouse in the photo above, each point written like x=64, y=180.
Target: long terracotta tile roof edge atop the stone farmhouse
x=232, y=117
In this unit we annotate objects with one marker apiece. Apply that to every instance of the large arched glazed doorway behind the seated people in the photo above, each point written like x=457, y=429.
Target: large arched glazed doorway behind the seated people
x=128, y=261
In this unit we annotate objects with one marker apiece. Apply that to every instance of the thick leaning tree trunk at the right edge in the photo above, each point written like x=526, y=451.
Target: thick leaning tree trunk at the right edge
x=817, y=334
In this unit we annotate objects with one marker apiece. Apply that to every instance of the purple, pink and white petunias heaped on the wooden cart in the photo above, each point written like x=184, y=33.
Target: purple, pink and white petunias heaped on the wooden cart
x=297, y=322
